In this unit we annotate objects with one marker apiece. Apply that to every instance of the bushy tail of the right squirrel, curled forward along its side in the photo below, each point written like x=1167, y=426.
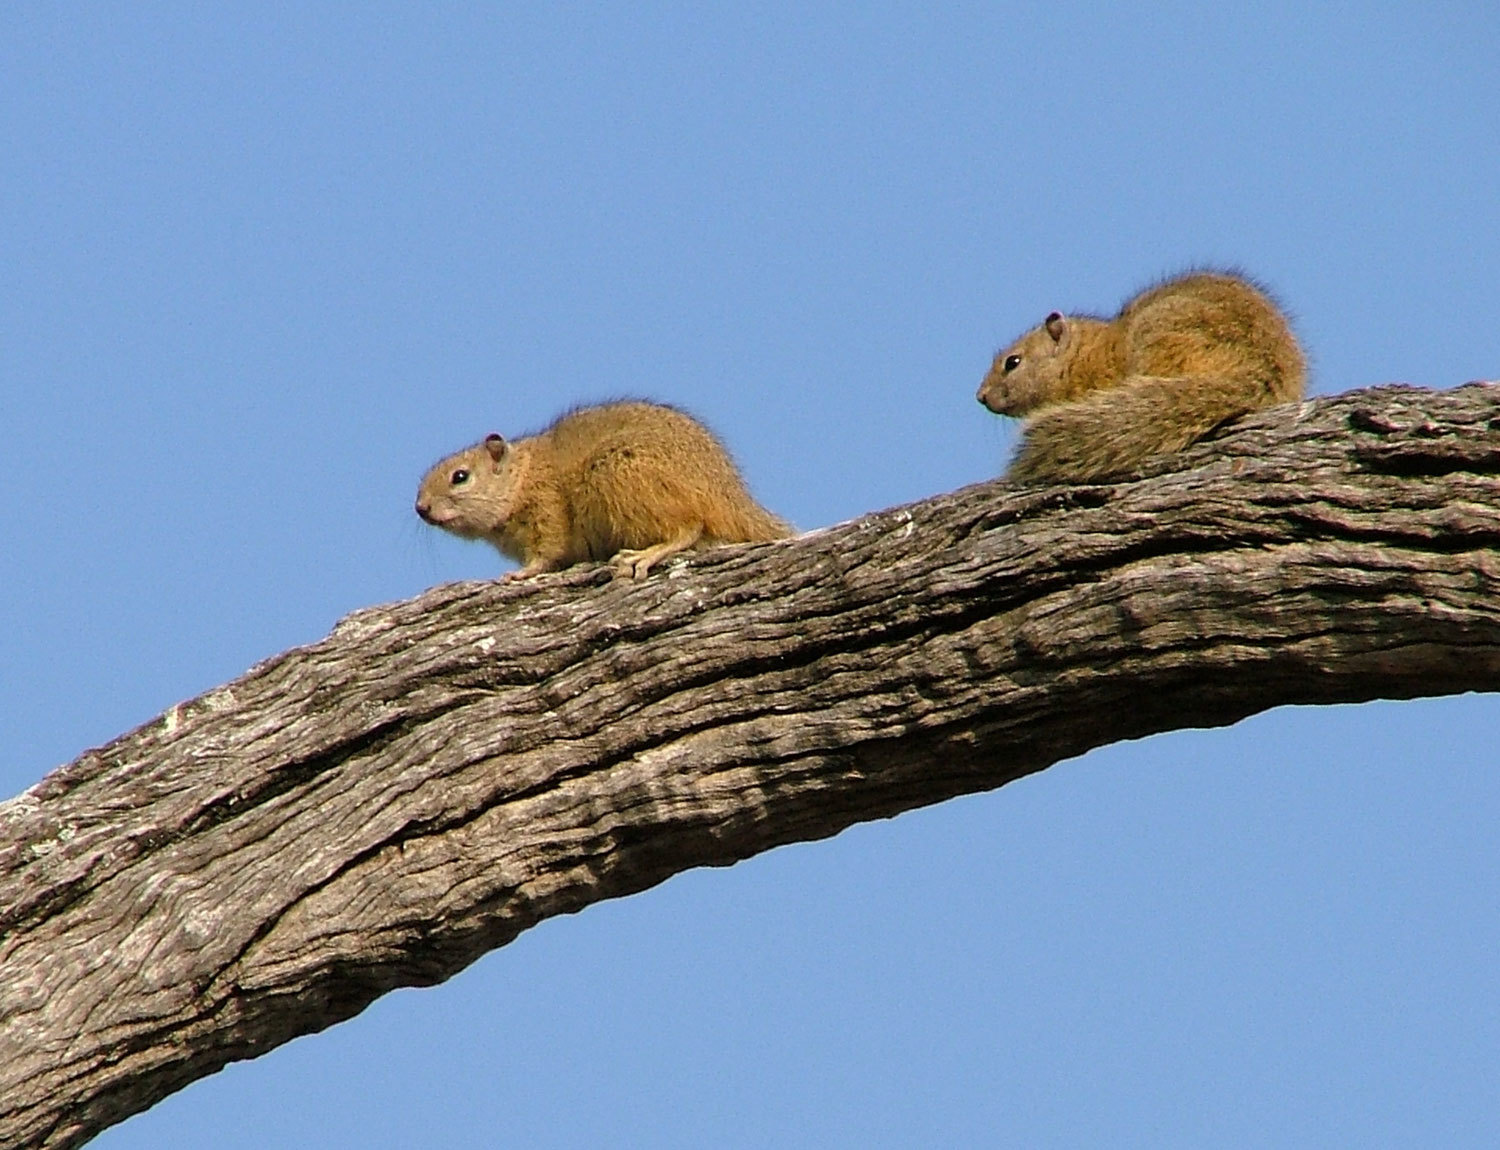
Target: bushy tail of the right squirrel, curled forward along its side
x=1114, y=431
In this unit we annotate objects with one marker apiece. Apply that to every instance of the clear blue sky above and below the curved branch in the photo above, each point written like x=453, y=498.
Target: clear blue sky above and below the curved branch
x=262, y=265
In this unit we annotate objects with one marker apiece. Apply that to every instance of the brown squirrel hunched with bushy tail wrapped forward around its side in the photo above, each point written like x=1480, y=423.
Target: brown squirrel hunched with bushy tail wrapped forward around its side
x=1180, y=359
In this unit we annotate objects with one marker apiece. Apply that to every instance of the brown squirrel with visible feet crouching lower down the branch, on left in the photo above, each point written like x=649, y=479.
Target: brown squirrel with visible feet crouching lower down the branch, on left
x=628, y=482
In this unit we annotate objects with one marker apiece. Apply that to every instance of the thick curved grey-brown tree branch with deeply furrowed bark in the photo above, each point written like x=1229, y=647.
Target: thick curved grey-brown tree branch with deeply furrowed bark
x=380, y=809
